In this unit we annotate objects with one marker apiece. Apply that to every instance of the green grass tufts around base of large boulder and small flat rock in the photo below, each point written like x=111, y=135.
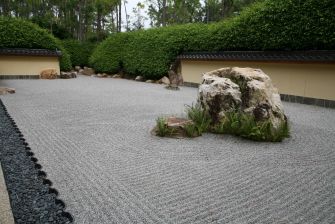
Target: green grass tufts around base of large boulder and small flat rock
x=234, y=122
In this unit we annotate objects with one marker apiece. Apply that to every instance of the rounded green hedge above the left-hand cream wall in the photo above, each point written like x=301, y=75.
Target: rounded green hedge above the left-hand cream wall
x=17, y=33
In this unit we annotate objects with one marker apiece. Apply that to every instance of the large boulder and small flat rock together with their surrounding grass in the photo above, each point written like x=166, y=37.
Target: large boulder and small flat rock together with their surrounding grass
x=238, y=101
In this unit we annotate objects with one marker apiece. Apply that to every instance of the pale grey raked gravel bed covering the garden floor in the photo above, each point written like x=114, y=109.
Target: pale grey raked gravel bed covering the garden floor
x=92, y=137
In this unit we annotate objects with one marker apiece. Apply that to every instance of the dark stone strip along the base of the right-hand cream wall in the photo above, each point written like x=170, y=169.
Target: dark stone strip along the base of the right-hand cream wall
x=291, y=98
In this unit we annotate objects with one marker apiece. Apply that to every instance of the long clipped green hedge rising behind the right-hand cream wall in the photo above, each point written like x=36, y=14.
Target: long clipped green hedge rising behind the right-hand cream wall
x=267, y=25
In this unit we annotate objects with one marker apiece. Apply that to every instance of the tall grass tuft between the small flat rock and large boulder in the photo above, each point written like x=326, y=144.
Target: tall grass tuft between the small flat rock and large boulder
x=199, y=116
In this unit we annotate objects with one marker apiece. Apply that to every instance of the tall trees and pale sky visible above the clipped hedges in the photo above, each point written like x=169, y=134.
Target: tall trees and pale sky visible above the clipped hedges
x=95, y=19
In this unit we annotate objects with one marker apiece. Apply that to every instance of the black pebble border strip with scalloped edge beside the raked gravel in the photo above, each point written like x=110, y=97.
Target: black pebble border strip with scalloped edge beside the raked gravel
x=33, y=201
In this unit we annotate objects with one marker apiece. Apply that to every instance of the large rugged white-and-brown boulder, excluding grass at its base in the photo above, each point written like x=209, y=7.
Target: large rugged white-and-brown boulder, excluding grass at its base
x=244, y=90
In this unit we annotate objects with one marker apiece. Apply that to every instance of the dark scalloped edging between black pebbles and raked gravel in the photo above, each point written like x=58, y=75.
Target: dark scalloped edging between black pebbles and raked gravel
x=38, y=167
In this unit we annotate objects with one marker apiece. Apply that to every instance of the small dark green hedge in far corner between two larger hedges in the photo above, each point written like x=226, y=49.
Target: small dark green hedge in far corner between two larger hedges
x=79, y=51
